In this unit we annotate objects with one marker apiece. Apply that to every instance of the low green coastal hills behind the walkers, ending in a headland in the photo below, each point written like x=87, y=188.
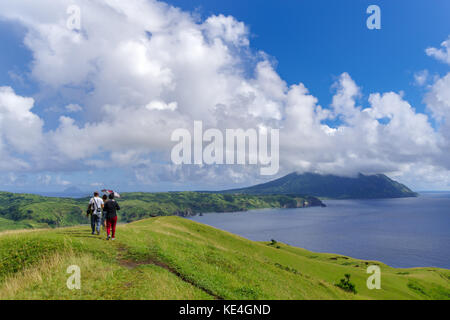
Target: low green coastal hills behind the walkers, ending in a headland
x=18, y=211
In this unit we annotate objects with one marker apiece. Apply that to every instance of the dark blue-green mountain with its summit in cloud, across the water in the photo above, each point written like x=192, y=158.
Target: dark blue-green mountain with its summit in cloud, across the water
x=331, y=186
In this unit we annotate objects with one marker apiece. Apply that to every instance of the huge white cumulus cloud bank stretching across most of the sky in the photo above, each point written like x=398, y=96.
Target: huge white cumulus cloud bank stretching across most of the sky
x=142, y=69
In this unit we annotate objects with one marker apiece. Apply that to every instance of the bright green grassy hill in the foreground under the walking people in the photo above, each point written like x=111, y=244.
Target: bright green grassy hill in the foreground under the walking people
x=175, y=258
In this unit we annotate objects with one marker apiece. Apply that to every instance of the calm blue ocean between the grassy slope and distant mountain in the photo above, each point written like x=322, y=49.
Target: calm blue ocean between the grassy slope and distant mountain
x=404, y=233
